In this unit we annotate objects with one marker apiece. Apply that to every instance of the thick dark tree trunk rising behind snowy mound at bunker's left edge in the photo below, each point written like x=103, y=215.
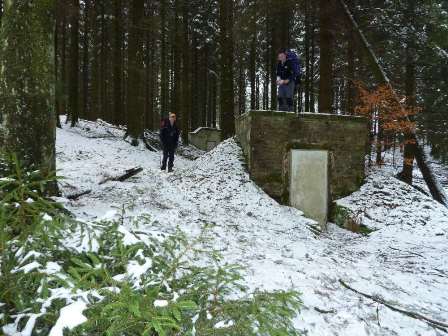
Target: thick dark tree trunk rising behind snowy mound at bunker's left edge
x=227, y=117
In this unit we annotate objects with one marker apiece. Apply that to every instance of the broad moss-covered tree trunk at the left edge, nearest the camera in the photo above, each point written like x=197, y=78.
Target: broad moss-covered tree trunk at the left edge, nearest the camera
x=27, y=86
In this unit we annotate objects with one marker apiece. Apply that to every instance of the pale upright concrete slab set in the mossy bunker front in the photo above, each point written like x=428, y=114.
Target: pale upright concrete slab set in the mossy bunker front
x=309, y=183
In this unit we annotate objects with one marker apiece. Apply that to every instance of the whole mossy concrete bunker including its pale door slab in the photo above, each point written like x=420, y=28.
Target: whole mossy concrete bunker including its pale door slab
x=286, y=152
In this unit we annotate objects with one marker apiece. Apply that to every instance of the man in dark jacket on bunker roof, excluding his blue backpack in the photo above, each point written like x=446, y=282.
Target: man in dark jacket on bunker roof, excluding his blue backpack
x=285, y=82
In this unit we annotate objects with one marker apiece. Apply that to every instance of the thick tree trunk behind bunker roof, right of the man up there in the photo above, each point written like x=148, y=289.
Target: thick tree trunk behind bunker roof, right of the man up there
x=326, y=57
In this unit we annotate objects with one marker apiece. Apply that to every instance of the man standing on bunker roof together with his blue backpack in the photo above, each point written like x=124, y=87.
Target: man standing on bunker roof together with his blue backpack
x=288, y=78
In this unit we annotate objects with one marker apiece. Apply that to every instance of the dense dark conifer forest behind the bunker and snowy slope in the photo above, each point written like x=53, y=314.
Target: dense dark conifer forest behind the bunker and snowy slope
x=209, y=61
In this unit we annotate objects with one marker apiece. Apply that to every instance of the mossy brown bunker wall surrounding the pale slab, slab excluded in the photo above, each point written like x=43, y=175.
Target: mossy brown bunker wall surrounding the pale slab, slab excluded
x=267, y=137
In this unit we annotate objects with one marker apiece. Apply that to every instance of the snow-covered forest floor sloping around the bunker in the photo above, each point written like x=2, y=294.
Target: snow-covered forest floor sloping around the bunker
x=405, y=261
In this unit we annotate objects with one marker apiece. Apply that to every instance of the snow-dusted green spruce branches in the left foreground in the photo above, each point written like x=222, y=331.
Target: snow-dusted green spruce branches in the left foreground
x=130, y=282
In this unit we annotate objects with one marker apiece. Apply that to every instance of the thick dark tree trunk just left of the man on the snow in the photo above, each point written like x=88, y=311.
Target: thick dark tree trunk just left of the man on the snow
x=135, y=67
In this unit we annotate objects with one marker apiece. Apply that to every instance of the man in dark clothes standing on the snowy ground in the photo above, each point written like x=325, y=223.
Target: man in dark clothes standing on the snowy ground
x=169, y=136
